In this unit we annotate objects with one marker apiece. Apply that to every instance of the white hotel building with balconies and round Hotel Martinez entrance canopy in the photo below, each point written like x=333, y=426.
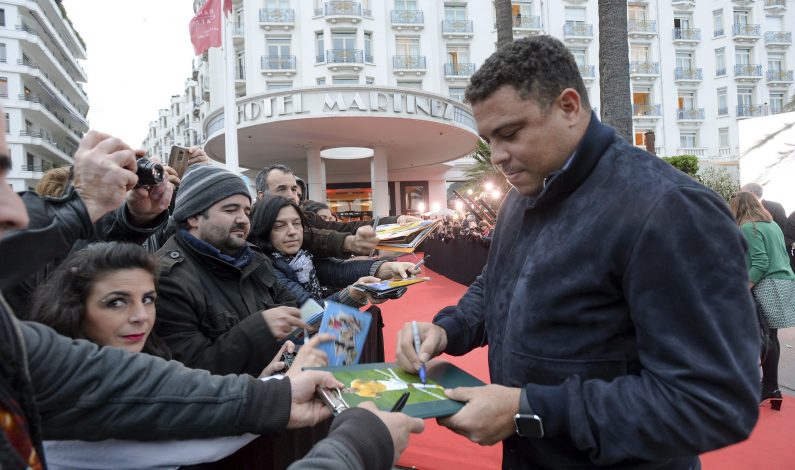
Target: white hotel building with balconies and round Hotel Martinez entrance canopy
x=312, y=75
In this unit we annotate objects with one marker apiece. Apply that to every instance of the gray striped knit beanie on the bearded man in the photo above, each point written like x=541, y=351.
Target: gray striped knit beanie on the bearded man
x=204, y=185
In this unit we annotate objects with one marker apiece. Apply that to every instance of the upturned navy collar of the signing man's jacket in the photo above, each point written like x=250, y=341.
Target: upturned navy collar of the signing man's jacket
x=560, y=183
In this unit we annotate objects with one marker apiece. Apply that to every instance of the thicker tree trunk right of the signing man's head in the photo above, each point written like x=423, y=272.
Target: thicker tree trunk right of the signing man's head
x=616, y=101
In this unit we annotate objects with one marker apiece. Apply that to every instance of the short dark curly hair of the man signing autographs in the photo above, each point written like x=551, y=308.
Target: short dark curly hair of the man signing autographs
x=539, y=67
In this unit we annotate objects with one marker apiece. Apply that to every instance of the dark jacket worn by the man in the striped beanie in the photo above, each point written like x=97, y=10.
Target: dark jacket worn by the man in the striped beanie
x=208, y=311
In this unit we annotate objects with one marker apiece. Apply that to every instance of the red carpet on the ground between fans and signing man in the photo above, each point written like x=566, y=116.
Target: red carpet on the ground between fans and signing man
x=769, y=447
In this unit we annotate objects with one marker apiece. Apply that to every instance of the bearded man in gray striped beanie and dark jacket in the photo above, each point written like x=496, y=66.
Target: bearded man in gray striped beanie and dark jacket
x=219, y=305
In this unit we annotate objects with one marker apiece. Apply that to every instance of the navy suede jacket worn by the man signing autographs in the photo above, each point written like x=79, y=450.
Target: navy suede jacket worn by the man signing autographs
x=618, y=298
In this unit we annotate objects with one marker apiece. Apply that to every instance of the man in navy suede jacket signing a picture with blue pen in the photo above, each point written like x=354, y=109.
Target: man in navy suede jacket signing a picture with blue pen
x=614, y=302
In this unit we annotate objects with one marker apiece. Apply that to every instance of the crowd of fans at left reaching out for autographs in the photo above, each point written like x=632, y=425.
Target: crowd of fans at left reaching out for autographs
x=132, y=295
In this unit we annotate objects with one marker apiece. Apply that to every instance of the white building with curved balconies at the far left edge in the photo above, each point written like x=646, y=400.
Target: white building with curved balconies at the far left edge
x=40, y=88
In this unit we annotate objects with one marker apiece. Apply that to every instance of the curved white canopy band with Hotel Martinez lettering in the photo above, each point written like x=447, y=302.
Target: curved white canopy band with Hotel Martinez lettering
x=345, y=101
